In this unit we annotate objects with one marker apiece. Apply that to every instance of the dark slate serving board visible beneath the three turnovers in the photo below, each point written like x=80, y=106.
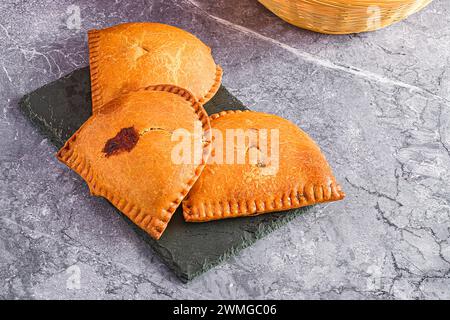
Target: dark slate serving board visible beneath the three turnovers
x=189, y=249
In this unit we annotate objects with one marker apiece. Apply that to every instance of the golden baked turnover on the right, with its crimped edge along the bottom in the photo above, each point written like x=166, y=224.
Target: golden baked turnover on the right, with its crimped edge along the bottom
x=283, y=169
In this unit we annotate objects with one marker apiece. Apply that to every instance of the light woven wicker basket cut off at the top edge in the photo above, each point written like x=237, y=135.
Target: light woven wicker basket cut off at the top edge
x=343, y=16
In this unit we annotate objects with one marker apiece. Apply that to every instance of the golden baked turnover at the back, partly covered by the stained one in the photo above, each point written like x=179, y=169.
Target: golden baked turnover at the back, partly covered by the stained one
x=132, y=56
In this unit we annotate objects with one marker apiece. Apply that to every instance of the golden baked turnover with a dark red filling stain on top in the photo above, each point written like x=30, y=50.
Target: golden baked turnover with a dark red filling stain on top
x=124, y=153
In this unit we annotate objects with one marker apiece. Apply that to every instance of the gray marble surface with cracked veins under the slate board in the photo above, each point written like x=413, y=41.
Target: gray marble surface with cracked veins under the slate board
x=378, y=104
